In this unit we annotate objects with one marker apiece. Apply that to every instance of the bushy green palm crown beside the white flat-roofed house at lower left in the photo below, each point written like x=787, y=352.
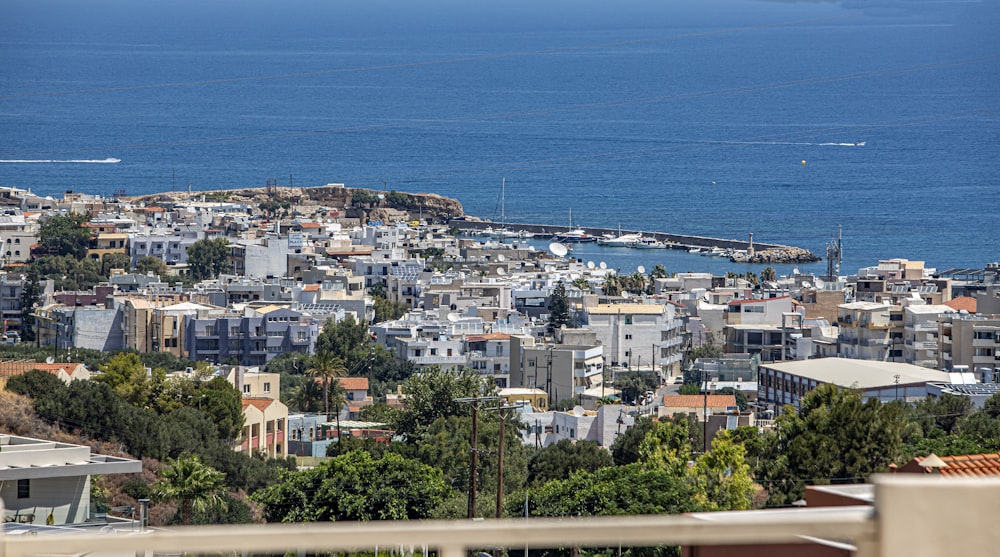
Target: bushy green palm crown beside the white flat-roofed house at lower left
x=196, y=486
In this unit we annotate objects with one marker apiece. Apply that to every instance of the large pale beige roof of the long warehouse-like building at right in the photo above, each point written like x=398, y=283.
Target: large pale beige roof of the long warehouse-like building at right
x=860, y=374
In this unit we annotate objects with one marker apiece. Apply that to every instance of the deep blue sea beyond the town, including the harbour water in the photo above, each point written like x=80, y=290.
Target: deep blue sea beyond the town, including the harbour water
x=716, y=118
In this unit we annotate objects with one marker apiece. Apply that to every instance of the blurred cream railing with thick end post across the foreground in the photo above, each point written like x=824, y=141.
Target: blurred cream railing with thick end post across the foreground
x=913, y=516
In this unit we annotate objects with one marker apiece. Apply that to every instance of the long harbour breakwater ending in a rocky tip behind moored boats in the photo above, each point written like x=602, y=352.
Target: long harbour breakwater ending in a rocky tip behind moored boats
x=774, y=253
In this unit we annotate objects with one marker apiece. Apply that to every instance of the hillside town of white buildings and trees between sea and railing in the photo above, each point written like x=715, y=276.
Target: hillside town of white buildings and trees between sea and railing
x=280, y=339
